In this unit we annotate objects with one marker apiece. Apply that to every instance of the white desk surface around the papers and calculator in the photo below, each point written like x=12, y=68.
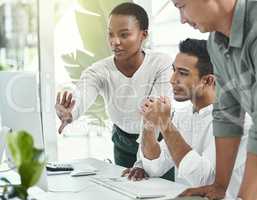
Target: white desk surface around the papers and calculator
x=65, y=187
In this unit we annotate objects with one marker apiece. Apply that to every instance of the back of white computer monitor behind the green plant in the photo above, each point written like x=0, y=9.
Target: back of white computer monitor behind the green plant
x=20, y=106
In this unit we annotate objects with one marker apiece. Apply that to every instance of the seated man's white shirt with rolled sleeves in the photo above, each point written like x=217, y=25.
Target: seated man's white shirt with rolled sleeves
x=198, y=166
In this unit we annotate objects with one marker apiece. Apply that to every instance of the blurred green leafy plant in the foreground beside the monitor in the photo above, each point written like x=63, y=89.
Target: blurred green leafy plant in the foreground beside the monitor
x=29, y=162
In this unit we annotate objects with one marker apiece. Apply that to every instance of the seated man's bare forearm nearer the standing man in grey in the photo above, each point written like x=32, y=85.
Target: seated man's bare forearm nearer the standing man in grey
x=177, y=146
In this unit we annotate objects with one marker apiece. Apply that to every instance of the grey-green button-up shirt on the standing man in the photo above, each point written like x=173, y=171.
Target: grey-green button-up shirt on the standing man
x=235, y=67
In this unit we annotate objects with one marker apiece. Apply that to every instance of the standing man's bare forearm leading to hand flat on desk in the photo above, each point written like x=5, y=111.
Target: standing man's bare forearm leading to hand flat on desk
x=226, y=151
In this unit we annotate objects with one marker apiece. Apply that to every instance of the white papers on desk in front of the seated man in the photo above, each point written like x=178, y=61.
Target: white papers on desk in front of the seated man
x=153, y=188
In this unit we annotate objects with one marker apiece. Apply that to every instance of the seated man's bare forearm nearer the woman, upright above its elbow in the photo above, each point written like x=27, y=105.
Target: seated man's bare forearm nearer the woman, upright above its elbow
x=149, y=145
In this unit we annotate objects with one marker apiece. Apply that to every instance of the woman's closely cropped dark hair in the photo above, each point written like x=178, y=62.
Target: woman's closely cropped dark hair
x=132, y=9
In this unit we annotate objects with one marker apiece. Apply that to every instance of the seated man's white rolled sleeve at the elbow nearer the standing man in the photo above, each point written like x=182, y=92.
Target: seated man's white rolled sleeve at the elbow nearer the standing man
x=196, y=169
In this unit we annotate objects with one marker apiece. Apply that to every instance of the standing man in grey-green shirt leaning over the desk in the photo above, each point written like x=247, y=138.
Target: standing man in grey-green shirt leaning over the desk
x=232, y=47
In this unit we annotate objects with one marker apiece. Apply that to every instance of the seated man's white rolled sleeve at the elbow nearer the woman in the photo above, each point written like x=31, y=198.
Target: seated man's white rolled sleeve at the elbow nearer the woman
x=159, y=166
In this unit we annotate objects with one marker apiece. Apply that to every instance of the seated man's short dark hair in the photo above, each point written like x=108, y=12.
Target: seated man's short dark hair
x=198, y=48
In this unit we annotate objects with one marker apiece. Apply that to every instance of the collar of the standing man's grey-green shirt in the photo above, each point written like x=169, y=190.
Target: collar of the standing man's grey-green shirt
x=237, y=29
